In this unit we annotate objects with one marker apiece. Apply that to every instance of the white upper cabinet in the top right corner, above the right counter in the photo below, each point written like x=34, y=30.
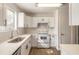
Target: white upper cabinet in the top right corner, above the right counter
x=74, y=14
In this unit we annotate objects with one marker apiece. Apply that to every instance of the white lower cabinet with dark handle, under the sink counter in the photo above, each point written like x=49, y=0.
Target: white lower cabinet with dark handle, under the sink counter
x=25, y=48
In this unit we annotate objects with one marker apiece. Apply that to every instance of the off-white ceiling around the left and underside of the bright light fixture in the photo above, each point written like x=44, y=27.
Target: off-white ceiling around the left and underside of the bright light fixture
x=31, y=8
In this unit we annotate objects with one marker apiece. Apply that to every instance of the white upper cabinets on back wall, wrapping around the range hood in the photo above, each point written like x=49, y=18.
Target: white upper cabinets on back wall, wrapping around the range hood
x=49, y=20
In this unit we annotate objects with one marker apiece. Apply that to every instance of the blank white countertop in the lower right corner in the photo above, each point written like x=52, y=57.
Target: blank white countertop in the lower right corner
x=69, y=49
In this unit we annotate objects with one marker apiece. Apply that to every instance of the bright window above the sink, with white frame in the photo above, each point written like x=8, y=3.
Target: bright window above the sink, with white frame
x=11, y=19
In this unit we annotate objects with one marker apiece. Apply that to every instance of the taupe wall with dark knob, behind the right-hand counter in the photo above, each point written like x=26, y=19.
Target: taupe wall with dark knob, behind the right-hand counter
x=64, y=28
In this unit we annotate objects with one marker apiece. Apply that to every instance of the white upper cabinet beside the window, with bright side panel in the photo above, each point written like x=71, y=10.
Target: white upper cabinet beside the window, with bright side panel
x=24, y=20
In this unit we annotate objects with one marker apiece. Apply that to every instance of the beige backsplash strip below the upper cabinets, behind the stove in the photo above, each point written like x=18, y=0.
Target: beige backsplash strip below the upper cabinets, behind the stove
x=38, y=30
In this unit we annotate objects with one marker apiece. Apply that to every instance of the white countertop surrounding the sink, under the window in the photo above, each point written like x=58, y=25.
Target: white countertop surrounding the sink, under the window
x=9, y=48
